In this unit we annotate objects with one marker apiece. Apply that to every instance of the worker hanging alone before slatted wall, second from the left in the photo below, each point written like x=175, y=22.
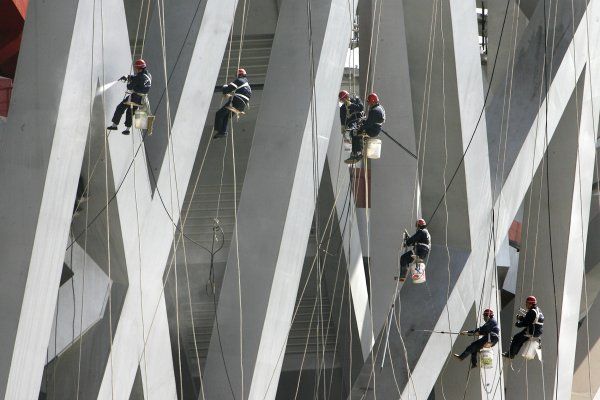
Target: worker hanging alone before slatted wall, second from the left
x=239, y=93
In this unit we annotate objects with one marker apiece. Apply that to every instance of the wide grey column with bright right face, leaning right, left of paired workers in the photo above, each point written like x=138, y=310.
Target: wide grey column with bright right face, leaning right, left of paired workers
x=275, y=232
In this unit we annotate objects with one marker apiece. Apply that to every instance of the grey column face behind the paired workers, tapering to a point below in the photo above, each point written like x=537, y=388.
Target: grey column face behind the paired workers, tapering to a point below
x=393, y=199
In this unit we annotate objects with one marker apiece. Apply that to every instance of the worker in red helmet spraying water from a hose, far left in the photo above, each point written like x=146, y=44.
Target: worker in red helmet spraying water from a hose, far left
x=138, y=86
